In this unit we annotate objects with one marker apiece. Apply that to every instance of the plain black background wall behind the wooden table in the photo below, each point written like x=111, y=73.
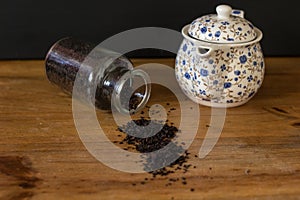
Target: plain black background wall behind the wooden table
x=30, y=27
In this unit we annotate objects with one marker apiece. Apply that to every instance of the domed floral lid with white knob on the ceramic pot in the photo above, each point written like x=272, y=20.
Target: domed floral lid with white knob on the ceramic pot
x=227, y=26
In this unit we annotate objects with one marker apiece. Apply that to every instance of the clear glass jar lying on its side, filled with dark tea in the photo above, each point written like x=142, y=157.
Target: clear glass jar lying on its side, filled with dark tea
x=105, y=78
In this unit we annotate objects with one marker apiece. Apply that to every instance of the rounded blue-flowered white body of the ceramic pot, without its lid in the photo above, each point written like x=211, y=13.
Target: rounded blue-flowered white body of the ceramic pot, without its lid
x=219, y=75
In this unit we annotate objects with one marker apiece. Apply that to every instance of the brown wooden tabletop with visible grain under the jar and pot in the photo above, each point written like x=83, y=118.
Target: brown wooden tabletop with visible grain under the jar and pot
x=42, y=157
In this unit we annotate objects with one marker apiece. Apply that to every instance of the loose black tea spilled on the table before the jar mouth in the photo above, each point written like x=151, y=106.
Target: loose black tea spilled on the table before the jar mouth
x=156, y=142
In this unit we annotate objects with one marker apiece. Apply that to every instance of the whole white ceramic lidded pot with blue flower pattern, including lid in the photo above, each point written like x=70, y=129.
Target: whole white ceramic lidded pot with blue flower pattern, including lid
x=220, y=61
